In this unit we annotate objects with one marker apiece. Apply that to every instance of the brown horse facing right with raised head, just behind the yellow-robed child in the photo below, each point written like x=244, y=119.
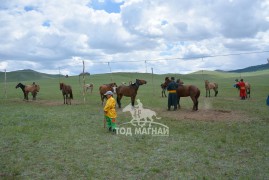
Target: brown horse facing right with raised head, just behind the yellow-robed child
x=129, y=91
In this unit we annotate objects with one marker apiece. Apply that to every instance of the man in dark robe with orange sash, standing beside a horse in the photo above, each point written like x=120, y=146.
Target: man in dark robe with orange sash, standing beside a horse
x=172, y=96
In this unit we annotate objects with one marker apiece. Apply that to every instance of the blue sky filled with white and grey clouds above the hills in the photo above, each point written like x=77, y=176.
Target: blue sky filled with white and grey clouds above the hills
x=166, y=36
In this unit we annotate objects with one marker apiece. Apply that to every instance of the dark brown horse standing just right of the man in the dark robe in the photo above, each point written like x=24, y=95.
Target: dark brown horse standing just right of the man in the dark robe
x=185, y=91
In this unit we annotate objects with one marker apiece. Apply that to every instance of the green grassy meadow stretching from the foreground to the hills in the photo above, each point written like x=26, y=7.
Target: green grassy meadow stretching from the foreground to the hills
x=226, y=139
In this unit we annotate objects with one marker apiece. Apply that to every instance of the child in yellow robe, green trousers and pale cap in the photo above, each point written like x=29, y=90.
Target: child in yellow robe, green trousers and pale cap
x=110, y=111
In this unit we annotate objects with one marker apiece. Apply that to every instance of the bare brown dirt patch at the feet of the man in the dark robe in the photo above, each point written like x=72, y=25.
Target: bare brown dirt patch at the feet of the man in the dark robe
x=204, y=115
